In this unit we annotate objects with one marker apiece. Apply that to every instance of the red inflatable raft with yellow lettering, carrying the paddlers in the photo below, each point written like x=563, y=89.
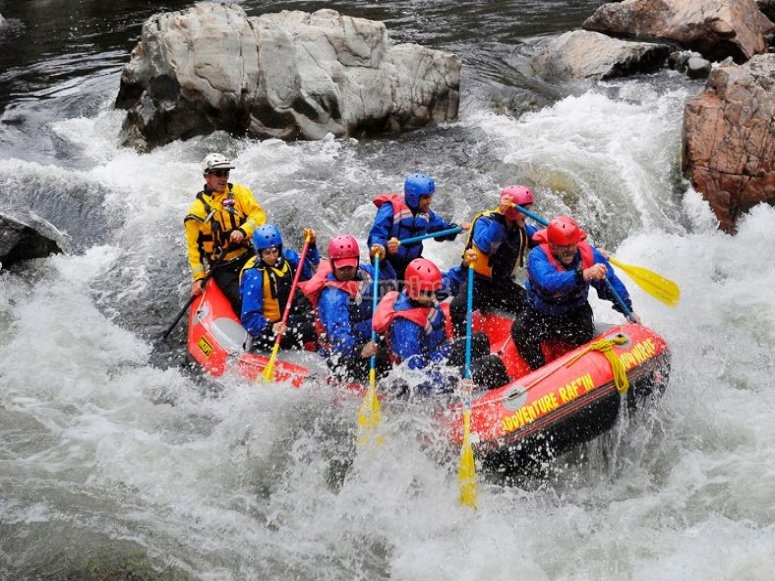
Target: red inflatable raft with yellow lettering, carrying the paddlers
x=574, y=398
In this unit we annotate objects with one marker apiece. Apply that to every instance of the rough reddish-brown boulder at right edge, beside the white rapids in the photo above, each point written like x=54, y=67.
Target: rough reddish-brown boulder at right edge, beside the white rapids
x=729, y=138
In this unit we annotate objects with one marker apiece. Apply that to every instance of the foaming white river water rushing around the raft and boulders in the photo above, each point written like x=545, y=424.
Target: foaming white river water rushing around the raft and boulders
x=119, y=461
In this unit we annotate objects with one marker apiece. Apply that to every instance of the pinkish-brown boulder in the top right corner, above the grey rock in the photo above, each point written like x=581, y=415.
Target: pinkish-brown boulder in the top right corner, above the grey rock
x=717, y=29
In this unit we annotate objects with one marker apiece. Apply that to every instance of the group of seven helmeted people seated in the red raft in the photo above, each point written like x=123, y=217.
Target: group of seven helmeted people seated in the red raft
x=335, y=310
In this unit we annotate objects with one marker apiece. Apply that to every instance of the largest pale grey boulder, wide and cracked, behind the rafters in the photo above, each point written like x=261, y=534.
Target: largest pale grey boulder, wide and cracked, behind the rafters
x=289, y=75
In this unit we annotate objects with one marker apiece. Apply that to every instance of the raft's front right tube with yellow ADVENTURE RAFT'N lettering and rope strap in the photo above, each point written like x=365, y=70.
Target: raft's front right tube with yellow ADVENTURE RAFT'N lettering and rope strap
x=578, y=384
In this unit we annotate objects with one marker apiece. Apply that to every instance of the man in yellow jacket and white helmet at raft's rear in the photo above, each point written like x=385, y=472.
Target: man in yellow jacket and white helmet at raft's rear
x=221, y=219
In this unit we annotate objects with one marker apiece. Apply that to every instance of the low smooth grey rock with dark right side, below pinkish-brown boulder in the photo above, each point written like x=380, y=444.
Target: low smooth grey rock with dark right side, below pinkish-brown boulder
x=582, y=54
